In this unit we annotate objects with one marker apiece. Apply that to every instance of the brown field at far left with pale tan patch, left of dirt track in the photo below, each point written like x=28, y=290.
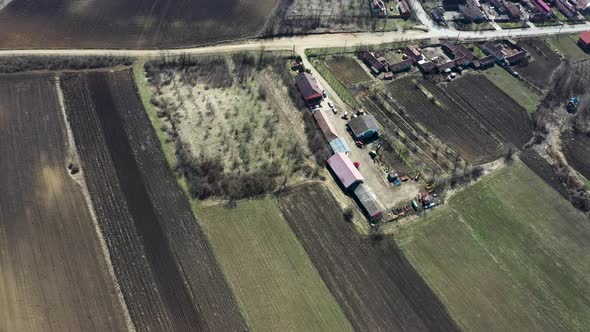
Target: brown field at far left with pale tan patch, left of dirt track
x=54, y=272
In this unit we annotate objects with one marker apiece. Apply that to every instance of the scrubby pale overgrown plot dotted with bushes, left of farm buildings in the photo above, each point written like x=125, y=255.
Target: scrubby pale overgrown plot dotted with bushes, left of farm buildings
x=236, y=132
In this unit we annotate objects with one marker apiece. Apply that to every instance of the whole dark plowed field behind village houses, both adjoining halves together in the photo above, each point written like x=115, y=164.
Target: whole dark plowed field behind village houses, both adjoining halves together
x=472, y=116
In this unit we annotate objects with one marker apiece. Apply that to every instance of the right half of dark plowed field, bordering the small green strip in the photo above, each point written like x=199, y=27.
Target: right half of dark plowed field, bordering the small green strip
x=492, y=108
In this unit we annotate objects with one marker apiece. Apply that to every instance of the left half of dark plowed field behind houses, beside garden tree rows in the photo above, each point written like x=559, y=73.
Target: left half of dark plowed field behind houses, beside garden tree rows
x=454, y=127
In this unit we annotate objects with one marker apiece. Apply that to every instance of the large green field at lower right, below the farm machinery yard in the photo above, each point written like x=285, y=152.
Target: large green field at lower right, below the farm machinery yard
x=508, y=253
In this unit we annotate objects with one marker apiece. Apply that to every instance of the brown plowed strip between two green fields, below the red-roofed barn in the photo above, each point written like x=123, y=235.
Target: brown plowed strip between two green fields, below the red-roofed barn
x=372, y=280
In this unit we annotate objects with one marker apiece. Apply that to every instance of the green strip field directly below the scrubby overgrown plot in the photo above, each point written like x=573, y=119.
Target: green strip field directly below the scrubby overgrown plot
x=274, y=281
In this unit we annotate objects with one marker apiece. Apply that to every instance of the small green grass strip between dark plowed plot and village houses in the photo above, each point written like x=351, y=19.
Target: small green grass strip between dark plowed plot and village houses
x=517, y=90
